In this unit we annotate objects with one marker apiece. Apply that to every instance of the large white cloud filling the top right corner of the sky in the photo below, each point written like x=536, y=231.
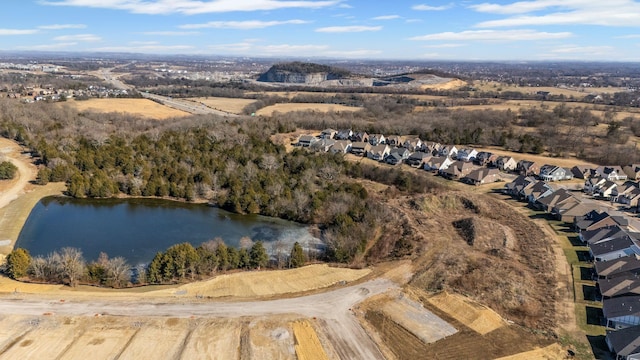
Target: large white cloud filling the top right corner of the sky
x=563, y=12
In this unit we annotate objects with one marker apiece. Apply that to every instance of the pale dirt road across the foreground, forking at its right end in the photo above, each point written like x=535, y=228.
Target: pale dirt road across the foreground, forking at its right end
x=334, y=307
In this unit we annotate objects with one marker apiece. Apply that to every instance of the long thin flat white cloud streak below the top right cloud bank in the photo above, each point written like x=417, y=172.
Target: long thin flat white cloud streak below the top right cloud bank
x=494, y=35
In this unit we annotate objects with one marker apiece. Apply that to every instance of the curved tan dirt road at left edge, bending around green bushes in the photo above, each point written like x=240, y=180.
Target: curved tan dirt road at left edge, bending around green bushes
x=26, y=171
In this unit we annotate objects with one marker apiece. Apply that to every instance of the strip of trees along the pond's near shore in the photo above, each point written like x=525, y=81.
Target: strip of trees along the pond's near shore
x=178, y=263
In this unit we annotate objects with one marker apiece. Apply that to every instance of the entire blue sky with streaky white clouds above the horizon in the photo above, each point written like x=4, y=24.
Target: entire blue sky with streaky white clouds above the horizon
x=411, y=30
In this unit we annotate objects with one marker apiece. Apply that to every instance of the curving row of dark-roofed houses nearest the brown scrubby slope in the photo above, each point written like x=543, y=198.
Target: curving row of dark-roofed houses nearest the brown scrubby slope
x=614, y=246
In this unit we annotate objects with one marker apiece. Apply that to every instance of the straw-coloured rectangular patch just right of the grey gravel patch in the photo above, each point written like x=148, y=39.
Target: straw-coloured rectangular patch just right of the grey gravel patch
x=479, y=318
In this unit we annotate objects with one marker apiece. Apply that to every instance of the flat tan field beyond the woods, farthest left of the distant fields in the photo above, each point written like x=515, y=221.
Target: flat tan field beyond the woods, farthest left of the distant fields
x=140, y=107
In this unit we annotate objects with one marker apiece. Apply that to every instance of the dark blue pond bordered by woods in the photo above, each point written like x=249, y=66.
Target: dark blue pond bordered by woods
x=137, y=229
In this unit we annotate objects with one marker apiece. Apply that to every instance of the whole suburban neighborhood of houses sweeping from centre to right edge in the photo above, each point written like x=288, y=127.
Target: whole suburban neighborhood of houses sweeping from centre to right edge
x=601, y=210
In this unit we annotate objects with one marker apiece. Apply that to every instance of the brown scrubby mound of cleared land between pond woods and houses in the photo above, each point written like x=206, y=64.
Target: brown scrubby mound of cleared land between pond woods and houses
x=475, y=245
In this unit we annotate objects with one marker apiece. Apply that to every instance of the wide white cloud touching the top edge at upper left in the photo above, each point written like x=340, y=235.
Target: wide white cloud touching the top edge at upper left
x=192, y=7
